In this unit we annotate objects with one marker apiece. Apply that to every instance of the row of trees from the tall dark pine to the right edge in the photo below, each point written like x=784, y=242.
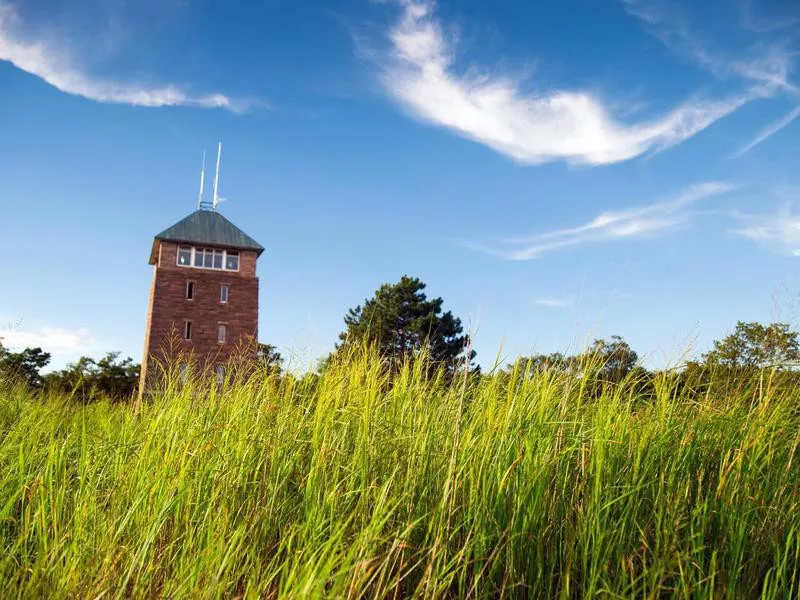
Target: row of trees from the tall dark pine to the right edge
x=401, y=321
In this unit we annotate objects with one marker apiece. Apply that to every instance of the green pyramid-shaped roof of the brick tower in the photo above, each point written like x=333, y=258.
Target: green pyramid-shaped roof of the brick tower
x=208, y=227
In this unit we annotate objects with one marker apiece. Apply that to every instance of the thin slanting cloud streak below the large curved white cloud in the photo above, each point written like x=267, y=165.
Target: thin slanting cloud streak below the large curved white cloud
x=609, y=226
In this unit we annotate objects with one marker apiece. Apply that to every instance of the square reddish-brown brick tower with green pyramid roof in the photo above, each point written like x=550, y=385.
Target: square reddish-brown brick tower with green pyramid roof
x=204, y=295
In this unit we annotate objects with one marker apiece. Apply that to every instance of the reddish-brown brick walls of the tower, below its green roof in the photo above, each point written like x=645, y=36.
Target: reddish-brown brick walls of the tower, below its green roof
x=170, y=309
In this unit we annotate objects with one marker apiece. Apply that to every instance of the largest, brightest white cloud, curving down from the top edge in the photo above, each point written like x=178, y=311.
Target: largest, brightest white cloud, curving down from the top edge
x=420, y=73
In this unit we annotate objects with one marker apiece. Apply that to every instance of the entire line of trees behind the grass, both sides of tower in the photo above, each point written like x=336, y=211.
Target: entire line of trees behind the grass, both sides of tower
x=401, y=323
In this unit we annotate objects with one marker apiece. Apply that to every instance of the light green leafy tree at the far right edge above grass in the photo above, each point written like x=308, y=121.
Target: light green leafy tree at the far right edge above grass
x=753, y=345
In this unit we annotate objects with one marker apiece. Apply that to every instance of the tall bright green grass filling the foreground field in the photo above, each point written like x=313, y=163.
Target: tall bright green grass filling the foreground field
x=353, y=487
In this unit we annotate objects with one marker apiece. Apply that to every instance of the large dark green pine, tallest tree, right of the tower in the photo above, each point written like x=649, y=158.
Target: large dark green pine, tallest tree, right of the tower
x=400, y=320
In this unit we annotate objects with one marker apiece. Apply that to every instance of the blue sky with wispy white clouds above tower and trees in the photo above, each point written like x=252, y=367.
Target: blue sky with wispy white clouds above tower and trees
x=555, y=170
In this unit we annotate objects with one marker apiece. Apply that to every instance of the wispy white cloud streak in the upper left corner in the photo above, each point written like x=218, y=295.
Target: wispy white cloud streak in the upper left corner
x=51, y=61
